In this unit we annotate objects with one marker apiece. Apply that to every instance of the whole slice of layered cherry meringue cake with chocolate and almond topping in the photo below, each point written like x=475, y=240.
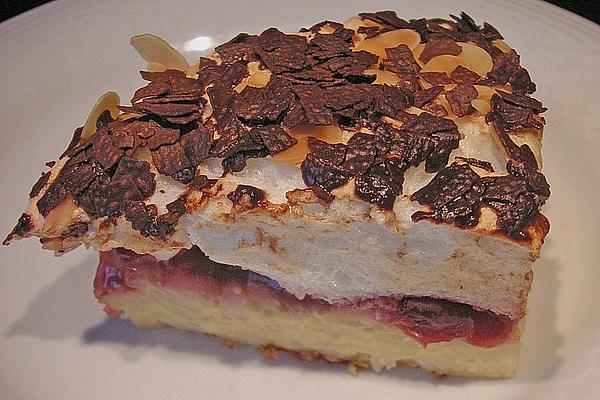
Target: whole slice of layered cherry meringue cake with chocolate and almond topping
x=366, y=192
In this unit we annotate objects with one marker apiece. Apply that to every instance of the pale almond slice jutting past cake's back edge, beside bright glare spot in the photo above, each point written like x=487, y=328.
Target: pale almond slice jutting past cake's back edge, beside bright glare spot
x=155, y=50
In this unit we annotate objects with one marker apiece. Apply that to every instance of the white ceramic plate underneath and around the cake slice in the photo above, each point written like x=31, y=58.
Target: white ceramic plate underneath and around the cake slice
x=55, y=342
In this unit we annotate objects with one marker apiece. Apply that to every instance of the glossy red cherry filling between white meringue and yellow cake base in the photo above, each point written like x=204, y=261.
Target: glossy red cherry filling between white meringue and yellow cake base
x=427, y=320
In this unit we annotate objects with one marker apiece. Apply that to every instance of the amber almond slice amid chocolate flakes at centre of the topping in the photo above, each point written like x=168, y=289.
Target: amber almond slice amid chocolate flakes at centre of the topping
x=297, y=153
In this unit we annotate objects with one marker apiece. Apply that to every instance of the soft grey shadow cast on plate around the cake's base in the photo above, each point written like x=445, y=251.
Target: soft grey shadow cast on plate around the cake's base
x=67, y=308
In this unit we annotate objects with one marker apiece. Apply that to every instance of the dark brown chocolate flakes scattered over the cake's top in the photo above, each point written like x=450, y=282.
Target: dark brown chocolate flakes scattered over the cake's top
x=315, y=80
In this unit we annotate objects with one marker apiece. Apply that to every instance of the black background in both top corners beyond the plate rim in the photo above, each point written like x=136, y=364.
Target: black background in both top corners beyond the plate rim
x=589, y=9
